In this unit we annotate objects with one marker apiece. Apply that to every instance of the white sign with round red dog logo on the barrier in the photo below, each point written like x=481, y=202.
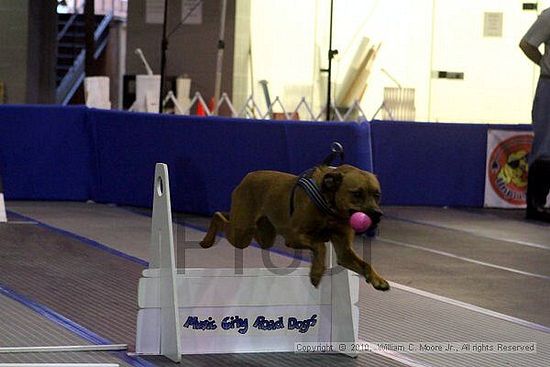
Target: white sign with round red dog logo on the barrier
x=506, y=169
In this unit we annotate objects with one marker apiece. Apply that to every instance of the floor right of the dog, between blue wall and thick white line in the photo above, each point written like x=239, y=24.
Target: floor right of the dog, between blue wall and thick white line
x=495, y=250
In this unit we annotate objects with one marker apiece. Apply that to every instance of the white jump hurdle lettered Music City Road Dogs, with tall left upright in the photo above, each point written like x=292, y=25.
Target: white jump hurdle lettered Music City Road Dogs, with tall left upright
x=198, y=311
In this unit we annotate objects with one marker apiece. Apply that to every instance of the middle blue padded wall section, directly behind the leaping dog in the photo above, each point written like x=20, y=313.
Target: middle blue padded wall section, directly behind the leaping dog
x=207, y=157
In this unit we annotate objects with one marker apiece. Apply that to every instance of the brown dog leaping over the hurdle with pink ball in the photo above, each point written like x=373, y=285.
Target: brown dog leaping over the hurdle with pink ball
x=261, y=208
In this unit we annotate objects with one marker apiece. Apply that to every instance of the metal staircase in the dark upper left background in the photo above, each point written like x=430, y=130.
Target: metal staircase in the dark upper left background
x=71, y=51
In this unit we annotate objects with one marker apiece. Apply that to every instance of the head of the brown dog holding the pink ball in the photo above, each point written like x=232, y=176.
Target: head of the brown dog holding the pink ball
x=352, y=190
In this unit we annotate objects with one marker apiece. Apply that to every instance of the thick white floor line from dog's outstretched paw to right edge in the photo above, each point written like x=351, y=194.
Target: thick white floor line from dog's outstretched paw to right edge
x=485, y=311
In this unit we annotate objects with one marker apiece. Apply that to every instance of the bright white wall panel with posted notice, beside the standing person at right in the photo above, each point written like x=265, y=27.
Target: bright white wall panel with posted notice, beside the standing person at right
x=498, y=78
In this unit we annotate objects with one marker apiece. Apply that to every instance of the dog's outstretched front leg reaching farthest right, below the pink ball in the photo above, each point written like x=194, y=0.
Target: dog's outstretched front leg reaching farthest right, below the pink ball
x=348, y=258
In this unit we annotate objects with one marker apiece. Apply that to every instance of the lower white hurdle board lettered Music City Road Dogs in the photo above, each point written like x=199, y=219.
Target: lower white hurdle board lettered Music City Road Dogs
x=252, y=339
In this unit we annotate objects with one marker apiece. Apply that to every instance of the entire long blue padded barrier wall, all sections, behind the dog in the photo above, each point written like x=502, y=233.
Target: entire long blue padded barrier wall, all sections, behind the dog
x=75, y=153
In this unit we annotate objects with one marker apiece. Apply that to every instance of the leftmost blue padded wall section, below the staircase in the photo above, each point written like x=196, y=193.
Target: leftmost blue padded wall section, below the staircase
x=45, y=152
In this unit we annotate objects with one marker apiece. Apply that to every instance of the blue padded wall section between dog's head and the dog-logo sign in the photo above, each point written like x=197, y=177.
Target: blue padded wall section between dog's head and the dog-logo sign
x=430, y=163
